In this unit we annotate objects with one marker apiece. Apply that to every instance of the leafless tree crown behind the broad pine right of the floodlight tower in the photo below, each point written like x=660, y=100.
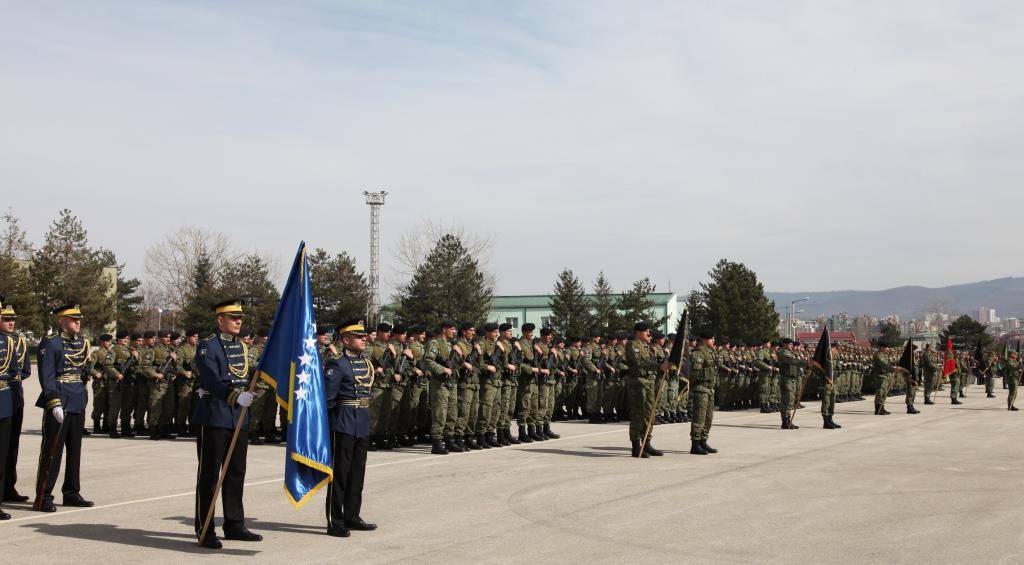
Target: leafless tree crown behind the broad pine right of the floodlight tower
x=415, y=245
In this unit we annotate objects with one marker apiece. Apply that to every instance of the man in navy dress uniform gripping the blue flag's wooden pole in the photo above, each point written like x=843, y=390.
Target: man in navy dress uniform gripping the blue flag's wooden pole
x=223, y=363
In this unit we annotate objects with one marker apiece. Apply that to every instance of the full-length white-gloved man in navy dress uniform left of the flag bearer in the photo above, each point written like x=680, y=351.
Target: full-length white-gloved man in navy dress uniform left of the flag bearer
x=62, y=361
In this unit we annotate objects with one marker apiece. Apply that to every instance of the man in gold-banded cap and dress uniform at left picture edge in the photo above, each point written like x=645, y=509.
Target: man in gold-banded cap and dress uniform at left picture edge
x=15, y=367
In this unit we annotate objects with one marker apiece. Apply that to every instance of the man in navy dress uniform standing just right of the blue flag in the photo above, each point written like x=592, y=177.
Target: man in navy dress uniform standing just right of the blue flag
x=349, y=377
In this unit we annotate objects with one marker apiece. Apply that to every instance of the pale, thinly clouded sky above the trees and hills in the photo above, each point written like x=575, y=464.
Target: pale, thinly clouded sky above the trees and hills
x=826, y=145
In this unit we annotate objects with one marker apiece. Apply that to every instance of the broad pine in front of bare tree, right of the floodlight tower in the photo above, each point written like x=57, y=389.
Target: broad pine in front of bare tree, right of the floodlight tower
x=449, y=285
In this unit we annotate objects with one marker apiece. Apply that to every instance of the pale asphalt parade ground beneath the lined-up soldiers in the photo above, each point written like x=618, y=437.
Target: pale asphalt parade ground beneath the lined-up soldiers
x=944, y=487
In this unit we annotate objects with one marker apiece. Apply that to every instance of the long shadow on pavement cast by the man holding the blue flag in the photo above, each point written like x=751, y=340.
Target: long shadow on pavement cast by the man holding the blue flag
x=173, y=542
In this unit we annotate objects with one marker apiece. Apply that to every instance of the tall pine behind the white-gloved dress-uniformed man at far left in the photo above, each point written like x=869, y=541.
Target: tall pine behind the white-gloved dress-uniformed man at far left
x=67, y=270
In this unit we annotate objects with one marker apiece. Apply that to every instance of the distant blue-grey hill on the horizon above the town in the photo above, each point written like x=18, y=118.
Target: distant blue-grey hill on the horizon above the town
x=1006, y=295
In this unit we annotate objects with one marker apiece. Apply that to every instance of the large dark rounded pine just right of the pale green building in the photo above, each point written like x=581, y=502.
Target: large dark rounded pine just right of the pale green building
x=737, y=307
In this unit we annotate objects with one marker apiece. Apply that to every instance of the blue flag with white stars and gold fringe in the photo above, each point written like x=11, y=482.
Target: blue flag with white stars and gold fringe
x=291, y=365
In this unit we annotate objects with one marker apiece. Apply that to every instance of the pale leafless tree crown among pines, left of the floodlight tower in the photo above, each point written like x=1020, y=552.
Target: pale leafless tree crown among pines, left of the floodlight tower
x=170, y=263
